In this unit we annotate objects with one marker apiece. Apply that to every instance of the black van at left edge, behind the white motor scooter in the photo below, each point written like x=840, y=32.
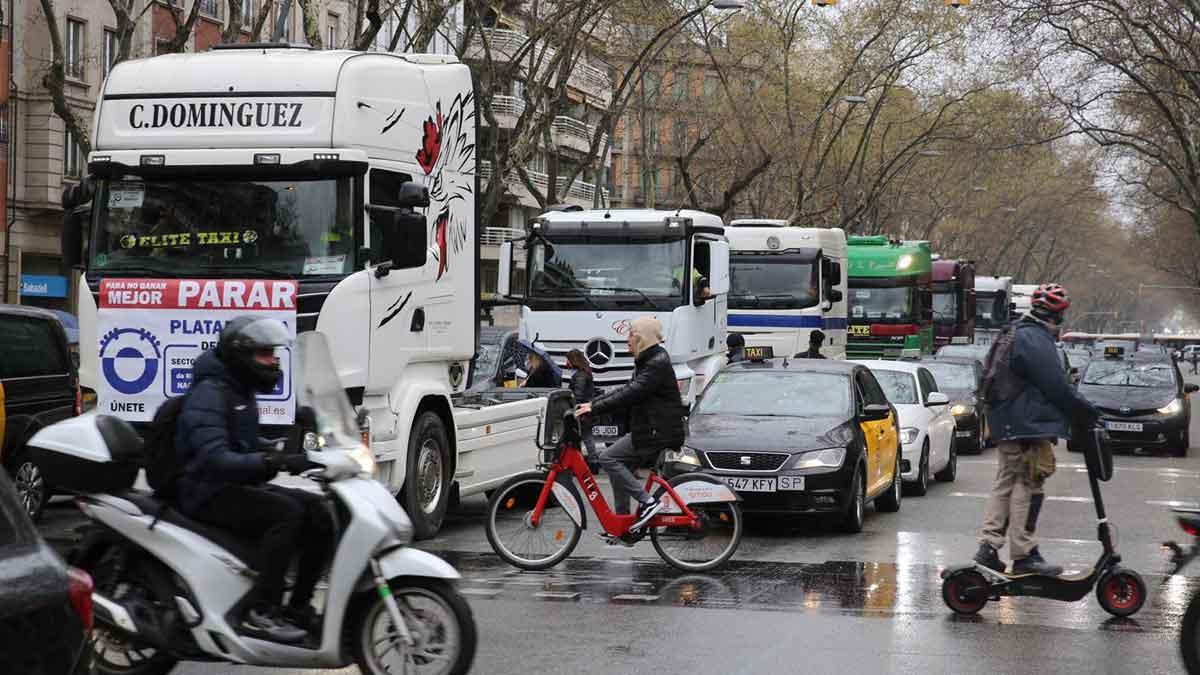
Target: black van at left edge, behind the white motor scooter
x=40, y=386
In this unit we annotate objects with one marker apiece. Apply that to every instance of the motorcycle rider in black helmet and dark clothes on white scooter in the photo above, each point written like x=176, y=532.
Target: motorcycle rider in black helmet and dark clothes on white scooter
x=226, y=473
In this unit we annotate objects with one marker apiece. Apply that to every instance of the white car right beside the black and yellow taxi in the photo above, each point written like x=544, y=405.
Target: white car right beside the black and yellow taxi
x=927, y=427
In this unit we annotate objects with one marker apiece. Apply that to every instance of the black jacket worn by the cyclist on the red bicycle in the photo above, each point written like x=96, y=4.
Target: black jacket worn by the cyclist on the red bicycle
x=652, y=402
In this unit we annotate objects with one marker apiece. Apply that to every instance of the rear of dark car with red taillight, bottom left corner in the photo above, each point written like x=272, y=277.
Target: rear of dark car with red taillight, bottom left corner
x=45, y=606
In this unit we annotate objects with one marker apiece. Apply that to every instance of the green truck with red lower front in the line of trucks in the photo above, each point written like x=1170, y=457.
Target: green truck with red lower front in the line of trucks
x=891, y=298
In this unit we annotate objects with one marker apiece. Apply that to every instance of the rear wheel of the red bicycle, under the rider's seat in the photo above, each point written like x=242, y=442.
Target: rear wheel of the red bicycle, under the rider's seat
x=706, y=547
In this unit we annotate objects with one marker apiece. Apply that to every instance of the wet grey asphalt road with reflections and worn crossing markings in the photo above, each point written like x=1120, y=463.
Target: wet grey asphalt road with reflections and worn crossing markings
x=800, y=596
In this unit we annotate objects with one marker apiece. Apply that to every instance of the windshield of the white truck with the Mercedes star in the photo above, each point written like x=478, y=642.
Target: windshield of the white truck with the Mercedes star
x=595, y=272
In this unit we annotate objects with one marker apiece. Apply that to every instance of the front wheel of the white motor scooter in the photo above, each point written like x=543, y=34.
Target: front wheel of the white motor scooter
x=439, y=620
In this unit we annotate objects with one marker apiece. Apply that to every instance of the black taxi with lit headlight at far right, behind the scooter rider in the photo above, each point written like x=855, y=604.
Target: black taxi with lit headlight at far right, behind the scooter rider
x=1143, y=399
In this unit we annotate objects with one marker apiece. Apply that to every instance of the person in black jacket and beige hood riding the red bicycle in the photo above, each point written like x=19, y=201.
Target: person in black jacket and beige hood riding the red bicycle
x=656, y=419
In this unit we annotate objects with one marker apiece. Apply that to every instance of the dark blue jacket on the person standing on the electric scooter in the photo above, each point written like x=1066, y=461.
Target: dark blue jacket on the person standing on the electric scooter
x=1047, y=404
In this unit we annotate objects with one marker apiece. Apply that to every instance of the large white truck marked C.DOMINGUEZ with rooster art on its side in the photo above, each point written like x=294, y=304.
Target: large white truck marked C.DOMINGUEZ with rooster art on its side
x=351, y=176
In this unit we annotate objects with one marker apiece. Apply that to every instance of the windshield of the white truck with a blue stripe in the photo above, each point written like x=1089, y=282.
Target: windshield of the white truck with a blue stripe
x=773, y=282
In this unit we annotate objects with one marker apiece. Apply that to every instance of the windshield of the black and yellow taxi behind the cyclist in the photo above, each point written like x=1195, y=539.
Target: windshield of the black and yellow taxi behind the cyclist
x=777, y=395
